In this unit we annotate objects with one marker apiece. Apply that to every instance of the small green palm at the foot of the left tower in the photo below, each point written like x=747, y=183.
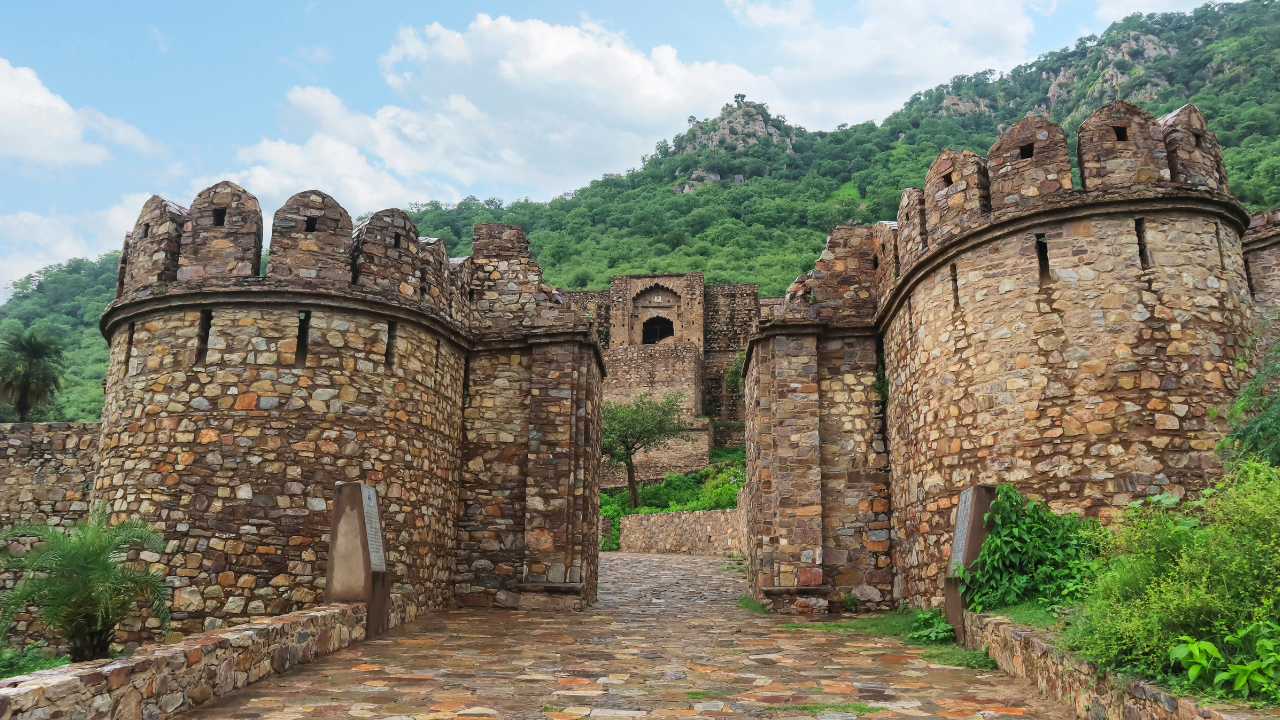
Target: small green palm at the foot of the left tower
x=81, y=582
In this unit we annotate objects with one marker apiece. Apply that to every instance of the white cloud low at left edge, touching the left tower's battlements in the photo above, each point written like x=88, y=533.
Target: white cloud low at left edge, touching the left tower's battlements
x=30, y=241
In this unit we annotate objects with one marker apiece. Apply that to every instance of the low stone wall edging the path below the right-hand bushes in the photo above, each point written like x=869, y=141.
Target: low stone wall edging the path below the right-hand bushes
x=1025, y=653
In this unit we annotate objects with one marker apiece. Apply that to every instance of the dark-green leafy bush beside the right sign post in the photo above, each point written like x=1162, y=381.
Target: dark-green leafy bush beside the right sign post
x=1031, y=554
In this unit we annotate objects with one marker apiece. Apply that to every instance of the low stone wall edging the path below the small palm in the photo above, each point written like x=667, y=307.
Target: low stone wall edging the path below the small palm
x=163, y=682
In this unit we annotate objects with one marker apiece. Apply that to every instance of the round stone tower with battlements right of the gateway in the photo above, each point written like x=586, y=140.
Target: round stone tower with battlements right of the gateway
x=1071, y=341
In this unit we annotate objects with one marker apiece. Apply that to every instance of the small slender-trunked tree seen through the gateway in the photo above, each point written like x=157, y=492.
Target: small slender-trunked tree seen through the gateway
x=641, y=426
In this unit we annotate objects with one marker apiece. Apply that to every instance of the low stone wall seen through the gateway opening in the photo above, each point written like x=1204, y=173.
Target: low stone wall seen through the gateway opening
x=701, y=532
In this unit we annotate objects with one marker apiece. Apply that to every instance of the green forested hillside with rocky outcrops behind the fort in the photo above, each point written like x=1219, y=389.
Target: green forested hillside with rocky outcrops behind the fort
x=684, y=209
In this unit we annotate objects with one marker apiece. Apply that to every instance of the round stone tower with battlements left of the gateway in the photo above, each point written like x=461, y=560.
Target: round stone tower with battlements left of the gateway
x=464, y=391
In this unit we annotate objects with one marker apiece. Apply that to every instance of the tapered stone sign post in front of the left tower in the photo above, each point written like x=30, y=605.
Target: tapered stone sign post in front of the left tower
x=358, y=564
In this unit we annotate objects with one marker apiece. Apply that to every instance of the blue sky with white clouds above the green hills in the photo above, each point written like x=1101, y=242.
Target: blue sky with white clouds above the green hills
x=382, y=104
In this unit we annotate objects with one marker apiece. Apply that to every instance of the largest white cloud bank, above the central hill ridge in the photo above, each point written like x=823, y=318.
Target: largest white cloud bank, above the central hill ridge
x=528, y=107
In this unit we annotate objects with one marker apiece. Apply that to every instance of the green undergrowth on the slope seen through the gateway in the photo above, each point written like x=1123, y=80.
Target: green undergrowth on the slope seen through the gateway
x=711, y=489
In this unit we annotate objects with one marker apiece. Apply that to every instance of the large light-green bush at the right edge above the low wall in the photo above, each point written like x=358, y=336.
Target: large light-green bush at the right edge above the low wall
x=1206, y=569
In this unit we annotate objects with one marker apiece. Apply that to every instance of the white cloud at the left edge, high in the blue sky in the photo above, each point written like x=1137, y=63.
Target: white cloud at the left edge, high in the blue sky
x=39, y=126
